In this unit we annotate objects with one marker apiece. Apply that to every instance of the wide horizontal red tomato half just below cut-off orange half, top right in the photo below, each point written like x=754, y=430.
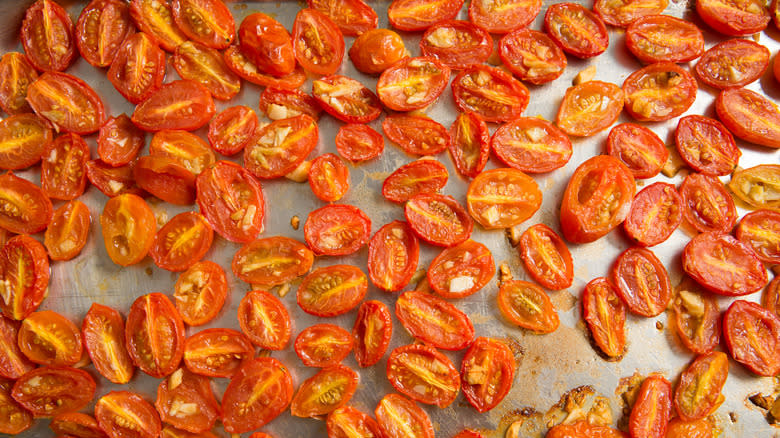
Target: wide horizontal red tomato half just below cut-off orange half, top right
x=655, y=38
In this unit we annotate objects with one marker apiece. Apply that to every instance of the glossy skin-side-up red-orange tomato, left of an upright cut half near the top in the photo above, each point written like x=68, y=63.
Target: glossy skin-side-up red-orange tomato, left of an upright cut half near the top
x=267, y=44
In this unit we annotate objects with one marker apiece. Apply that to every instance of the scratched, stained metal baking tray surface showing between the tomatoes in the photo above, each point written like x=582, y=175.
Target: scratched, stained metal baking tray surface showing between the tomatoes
x=550, y=364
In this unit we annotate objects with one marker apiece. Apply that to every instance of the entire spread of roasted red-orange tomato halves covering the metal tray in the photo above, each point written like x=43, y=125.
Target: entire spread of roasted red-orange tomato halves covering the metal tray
x=185, y=144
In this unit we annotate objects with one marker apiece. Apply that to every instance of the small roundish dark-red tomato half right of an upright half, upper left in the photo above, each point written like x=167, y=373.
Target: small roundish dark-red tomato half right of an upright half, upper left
x=119, y=141
